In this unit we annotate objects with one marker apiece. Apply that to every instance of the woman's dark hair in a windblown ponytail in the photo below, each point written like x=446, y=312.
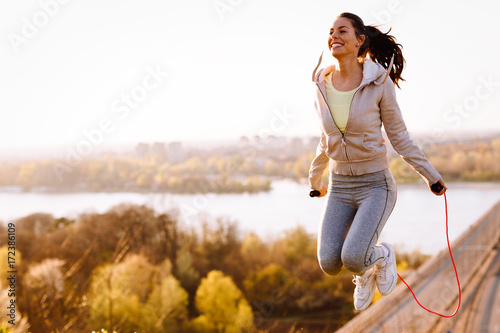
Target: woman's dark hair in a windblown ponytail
x=379, y=46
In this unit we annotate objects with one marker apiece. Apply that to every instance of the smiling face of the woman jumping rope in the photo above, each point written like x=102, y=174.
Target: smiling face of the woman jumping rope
x=342, y=40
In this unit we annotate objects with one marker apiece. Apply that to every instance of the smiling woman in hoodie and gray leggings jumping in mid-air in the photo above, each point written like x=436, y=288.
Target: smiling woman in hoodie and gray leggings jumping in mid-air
x=354, y=99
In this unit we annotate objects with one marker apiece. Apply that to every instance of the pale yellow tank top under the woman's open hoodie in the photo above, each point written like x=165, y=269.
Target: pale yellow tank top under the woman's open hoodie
x=339, y=103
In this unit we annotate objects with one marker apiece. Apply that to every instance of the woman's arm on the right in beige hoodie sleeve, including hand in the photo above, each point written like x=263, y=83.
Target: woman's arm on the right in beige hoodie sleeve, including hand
x=397, y=133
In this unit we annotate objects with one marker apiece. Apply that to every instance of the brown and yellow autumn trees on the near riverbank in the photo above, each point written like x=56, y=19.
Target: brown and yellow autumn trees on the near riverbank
x=132, y=269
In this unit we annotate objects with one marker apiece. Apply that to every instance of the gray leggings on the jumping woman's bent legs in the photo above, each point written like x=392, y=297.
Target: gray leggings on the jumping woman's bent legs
x=355, y=212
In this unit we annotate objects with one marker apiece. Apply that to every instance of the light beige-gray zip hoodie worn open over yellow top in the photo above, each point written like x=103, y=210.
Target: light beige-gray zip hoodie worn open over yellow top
x=361, y=149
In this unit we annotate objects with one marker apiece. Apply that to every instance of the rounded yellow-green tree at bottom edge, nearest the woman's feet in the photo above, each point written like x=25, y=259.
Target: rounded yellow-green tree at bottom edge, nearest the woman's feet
x=222, y=306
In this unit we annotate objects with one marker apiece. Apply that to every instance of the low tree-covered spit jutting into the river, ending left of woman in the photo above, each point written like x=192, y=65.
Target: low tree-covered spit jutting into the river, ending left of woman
x=128, y=173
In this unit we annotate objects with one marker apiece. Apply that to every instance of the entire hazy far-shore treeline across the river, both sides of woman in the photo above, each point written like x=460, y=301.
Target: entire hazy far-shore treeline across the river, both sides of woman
x=249, y=168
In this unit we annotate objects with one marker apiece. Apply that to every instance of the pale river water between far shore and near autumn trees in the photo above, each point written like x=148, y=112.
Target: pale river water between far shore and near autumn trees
x=417, y=222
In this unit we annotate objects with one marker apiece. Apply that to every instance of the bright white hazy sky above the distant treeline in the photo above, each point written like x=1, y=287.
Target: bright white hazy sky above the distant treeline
x=93, y=74
